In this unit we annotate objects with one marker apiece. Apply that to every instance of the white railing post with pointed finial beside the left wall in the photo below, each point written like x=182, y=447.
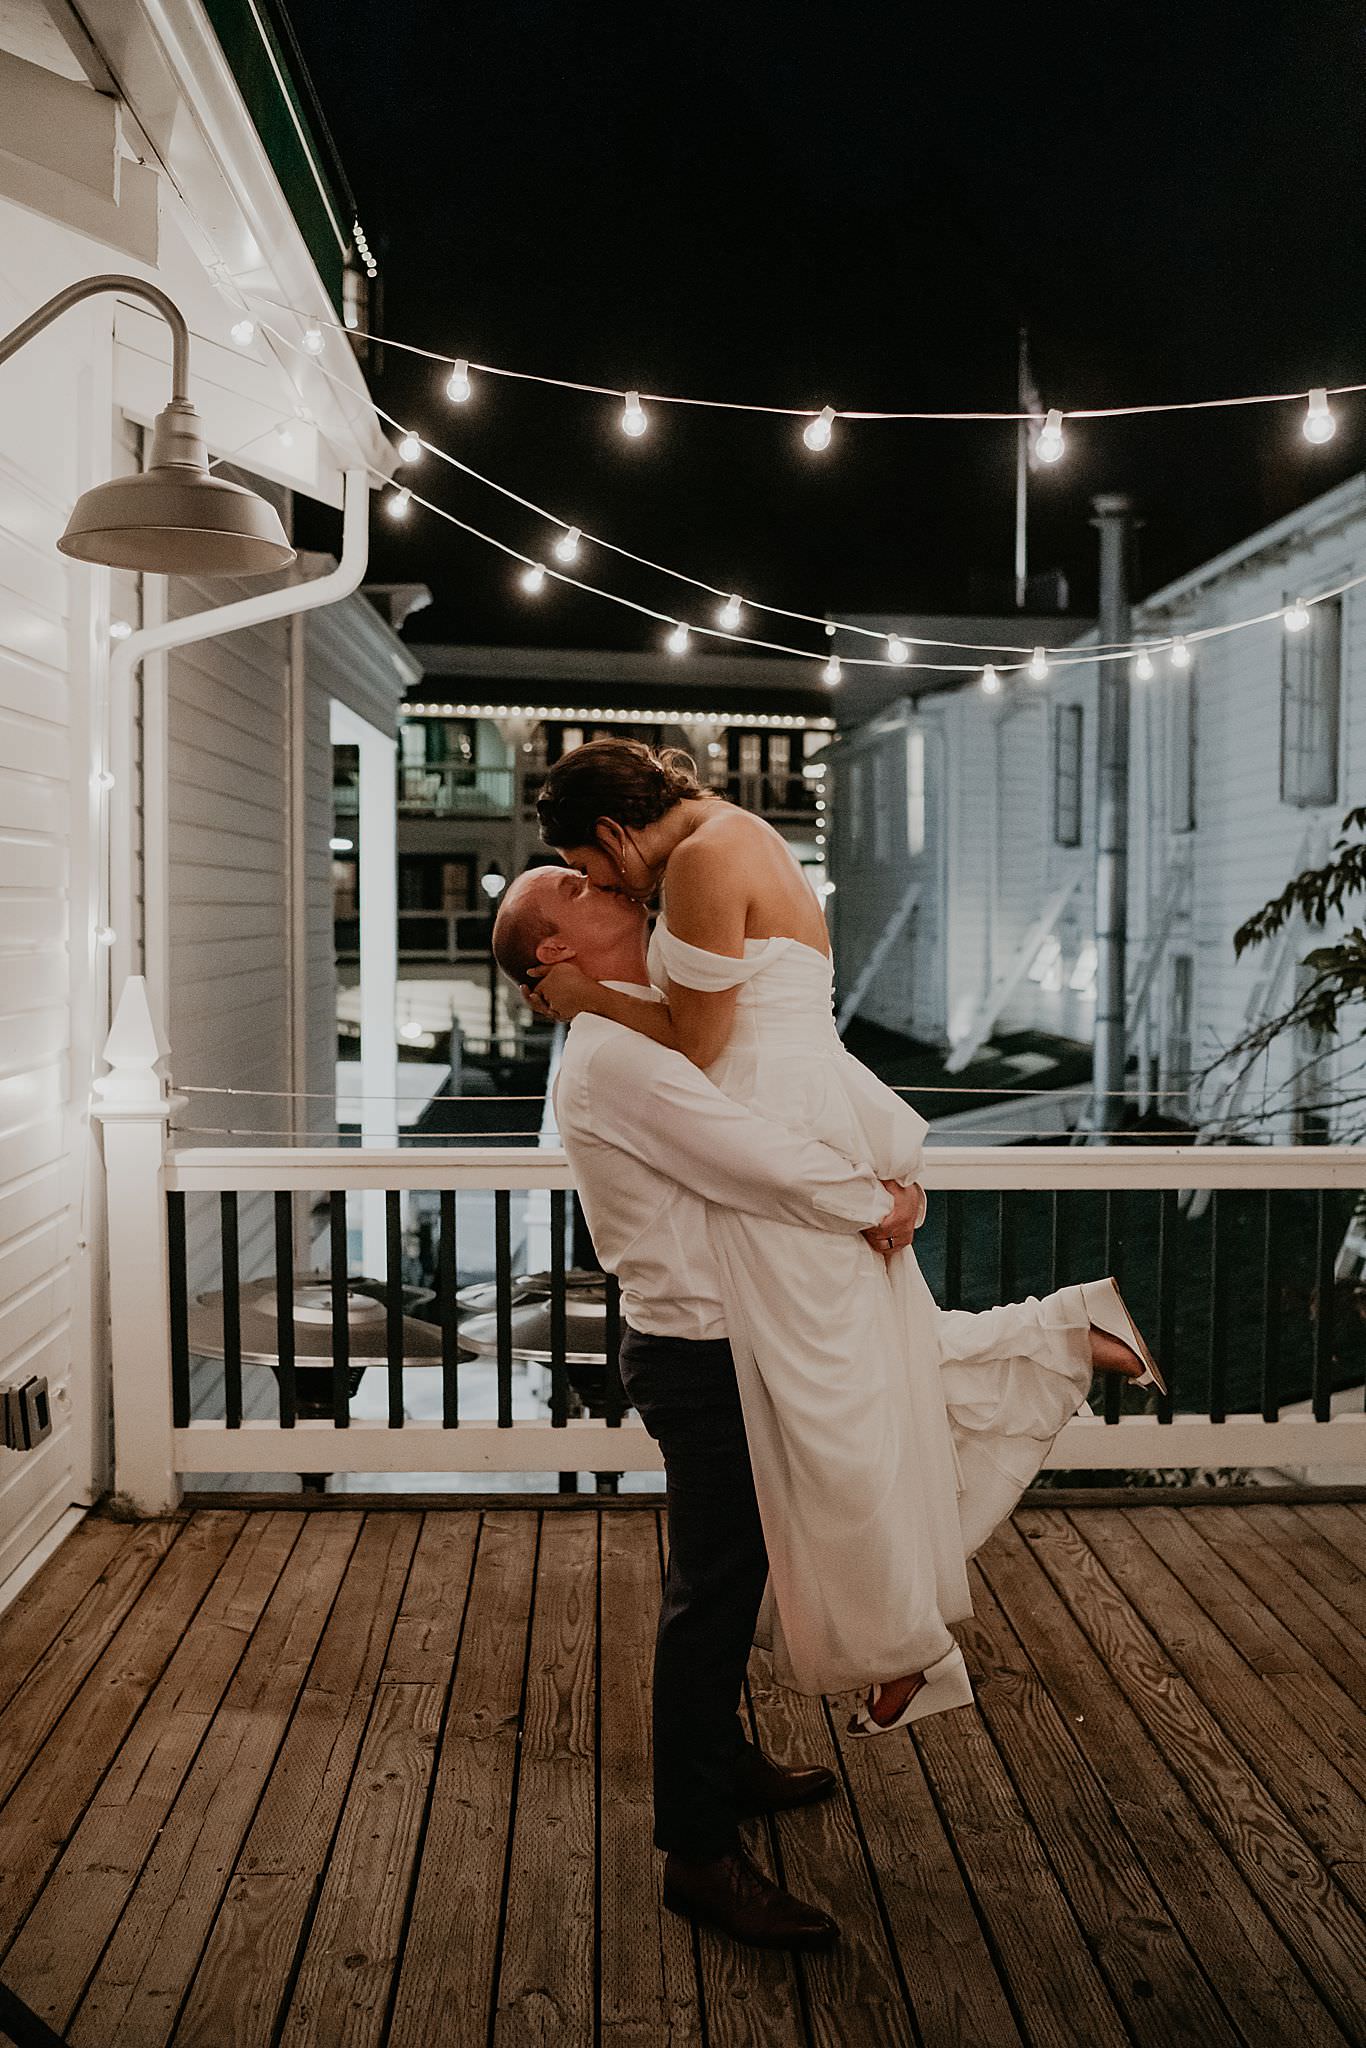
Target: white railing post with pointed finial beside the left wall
x=134, y=1111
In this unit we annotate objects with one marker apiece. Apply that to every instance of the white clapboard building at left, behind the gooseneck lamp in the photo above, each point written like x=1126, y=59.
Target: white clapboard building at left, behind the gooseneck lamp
x=171, y=826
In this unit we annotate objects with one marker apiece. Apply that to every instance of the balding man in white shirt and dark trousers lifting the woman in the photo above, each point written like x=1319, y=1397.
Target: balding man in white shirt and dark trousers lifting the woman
x=652, y=1144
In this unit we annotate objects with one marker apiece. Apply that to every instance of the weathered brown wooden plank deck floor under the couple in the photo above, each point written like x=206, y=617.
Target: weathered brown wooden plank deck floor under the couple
x=382, y=1777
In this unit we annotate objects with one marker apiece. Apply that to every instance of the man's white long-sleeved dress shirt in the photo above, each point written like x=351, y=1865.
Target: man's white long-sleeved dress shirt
x=652, y=1142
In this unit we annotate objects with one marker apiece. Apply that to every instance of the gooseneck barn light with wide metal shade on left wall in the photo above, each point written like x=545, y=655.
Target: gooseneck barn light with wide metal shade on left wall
x=175, y=519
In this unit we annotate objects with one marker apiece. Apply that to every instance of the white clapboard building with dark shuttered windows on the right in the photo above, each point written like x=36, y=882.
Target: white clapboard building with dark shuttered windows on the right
x=964, y=830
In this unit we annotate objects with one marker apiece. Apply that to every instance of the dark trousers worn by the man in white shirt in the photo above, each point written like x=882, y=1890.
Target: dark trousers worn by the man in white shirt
x=689, y=1402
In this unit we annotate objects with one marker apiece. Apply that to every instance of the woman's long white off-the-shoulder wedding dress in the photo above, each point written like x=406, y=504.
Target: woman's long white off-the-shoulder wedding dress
x=888, y=1437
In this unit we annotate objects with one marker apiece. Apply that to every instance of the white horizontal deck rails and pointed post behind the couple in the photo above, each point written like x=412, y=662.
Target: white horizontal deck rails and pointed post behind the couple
x=153, y=1453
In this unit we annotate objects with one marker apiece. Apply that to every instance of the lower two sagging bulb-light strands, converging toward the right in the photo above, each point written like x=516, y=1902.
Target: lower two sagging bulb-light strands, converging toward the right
x=1037, y=665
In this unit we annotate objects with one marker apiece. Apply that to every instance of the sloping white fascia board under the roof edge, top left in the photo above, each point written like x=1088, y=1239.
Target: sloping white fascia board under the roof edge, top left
x=181, y=91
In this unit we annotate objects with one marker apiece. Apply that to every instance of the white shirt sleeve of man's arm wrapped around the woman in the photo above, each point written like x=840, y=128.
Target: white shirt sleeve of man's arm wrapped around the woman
x=663, y=1111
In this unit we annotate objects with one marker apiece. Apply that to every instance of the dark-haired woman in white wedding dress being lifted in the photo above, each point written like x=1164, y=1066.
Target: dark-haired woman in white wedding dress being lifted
x=888, y=1437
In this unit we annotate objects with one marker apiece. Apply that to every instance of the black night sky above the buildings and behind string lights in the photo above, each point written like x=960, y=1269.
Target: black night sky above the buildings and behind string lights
x=849, y=206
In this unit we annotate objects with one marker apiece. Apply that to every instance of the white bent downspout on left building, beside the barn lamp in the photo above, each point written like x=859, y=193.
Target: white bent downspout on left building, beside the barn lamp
x=124, y=665
